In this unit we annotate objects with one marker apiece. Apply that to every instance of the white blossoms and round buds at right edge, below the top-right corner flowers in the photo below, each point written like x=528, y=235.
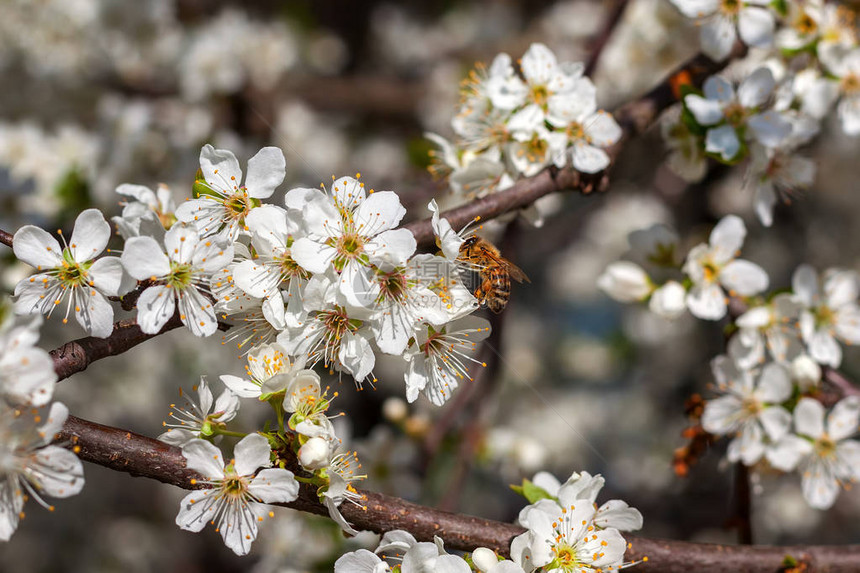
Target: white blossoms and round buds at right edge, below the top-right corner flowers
x=769, y=377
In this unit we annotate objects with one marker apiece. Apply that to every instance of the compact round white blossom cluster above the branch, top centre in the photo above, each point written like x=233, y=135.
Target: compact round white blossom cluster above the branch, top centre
x=514, y=124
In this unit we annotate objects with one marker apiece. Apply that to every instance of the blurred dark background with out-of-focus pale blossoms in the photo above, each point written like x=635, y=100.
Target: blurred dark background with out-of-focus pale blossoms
x=98, y=93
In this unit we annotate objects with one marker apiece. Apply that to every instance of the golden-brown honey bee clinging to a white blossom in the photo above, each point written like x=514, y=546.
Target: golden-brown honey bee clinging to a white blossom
x=494, y=270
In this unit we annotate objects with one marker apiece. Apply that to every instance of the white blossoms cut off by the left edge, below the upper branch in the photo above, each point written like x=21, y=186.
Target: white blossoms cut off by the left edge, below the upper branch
x=30, y=465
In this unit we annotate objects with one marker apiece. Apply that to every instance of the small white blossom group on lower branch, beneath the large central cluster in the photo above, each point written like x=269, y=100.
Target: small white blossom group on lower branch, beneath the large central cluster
x=235, y=496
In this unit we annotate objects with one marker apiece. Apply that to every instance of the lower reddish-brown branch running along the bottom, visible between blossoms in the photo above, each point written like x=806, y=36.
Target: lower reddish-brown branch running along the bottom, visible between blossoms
x=138, y=455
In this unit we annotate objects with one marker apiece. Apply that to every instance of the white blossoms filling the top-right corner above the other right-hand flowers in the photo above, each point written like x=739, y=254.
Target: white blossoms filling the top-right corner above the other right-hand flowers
x=814, y=63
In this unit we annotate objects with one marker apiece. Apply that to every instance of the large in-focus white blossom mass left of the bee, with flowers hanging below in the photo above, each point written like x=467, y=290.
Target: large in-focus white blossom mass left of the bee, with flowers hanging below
x=328, y=279
